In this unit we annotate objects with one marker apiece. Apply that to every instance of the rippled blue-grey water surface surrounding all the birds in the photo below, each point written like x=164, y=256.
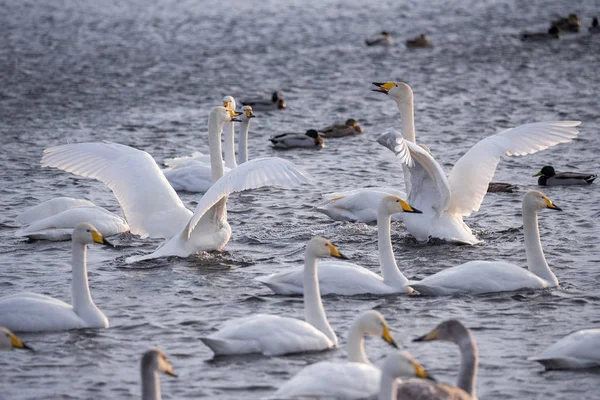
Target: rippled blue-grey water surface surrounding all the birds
x=146, y=74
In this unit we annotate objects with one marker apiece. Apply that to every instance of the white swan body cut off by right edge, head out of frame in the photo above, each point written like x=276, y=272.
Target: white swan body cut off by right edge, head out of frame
x=580, y=349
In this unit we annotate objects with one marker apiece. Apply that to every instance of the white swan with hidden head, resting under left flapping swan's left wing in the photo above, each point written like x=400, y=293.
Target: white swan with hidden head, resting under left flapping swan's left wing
x=55, y=219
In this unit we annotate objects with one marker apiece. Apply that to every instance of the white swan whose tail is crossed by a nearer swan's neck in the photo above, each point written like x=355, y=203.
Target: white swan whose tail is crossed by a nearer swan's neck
x=348, y=279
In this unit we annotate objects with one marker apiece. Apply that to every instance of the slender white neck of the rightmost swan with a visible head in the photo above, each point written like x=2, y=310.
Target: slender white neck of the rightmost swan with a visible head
x=536, y=262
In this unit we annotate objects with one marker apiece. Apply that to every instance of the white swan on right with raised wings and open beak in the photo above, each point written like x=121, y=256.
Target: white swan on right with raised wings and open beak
x=446, y=201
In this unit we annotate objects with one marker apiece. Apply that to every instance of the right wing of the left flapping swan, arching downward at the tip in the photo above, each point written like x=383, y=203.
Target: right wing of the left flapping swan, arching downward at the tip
x=272, y=171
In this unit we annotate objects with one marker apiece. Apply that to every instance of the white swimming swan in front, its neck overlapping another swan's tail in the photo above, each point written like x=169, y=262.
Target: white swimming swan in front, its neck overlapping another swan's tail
x=273, y=335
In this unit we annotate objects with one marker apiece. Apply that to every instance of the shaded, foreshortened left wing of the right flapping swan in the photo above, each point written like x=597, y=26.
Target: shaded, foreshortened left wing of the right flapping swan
x=429, y=188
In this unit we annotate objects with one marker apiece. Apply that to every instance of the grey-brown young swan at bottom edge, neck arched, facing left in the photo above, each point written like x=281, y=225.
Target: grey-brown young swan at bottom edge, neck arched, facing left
x=451, y=331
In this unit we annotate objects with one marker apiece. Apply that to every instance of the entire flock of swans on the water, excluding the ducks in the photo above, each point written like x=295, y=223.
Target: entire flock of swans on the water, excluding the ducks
x=435, y=206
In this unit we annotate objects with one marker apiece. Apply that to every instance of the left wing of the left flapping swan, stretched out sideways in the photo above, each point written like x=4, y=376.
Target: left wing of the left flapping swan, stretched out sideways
x=151, y=206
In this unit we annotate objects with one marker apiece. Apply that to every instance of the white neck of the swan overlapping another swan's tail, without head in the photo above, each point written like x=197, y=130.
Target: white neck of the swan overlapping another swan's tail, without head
x=314, y=313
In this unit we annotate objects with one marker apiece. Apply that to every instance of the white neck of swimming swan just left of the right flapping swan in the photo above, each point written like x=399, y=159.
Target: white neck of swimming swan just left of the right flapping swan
x=387, y=262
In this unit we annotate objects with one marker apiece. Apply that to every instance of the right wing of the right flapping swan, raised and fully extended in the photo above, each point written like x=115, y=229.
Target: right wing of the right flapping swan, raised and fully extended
x=473, y=172
